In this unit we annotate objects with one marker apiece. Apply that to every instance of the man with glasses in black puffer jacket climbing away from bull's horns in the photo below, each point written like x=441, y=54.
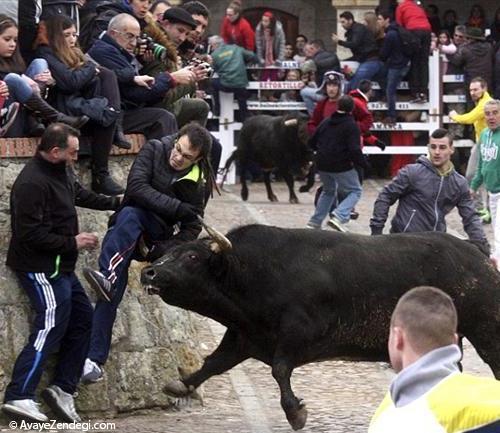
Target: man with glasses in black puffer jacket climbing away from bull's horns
x=165, y=193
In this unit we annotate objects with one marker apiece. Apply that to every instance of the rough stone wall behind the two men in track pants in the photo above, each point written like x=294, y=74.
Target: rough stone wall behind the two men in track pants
x=151, y=339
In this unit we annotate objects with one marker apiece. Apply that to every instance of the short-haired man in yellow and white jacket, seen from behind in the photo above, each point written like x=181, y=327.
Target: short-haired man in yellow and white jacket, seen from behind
x=430, y=394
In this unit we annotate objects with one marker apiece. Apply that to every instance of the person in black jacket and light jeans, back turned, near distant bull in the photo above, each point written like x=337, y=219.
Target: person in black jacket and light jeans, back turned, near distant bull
x=337, y=142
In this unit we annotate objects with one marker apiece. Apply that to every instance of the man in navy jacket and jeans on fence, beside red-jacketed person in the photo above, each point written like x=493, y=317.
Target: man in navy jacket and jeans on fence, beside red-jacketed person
x=396, y=63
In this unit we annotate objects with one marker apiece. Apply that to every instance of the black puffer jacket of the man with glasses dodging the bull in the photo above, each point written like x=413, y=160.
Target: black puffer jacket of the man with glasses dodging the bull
x=155, y=186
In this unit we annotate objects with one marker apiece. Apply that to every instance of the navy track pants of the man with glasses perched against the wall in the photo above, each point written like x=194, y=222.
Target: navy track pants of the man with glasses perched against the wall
x=118, y=250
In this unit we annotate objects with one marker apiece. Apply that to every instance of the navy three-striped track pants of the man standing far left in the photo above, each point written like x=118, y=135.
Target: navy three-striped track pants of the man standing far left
x=62, y=324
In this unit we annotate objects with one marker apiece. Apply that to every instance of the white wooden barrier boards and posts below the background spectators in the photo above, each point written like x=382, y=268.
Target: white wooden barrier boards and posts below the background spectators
x=431, y=119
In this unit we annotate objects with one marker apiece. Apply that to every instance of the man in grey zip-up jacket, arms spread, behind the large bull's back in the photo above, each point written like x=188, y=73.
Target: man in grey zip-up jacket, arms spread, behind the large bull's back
x=427, y=191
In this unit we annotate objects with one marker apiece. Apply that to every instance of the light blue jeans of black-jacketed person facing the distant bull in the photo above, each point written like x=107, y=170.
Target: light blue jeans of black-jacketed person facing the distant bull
x=348, y=183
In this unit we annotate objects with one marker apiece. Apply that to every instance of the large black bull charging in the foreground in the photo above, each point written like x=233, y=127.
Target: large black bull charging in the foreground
x=289, y=297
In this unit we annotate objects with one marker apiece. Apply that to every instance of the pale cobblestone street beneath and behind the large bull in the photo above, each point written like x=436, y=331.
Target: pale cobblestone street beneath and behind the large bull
x=340, y=396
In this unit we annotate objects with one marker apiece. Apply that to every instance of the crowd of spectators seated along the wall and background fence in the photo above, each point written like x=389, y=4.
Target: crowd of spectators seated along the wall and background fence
x=138, y=75
